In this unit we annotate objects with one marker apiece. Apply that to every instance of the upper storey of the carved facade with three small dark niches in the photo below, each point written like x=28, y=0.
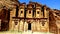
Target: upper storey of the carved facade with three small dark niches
x=32, y=10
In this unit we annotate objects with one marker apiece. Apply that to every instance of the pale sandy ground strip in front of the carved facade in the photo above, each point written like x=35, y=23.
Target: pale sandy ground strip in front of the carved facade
x=28, y=32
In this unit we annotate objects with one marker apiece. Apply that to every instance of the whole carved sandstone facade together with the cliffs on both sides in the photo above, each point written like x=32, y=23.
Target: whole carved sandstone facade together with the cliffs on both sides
x=15, y=16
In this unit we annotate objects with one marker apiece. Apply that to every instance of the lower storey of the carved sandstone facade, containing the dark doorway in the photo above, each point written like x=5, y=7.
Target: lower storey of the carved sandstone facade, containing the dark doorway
x=41, y=25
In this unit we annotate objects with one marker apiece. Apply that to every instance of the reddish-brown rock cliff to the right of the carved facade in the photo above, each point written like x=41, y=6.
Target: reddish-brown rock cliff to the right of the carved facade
x=54, y=21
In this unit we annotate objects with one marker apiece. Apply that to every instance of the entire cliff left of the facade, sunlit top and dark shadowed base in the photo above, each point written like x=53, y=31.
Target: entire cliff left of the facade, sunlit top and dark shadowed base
x=5, y=7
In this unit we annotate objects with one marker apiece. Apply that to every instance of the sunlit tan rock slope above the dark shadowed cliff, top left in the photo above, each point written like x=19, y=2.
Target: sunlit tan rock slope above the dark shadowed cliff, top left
x=8, y=3
